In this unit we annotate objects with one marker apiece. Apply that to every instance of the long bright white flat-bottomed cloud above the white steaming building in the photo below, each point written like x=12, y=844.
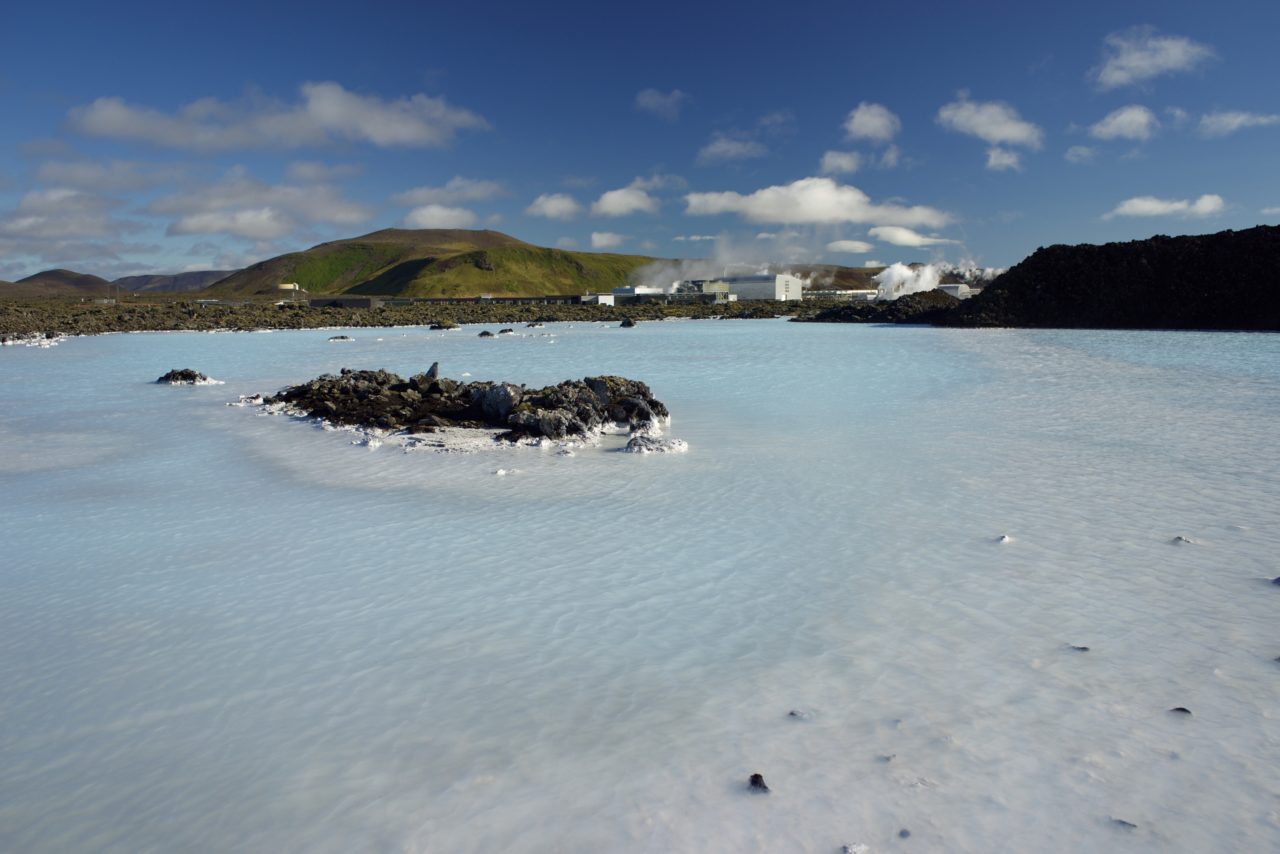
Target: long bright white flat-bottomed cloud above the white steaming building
x=812, y=200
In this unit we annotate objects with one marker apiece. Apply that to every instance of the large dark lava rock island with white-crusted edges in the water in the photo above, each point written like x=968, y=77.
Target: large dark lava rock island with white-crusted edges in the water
x=427, y=404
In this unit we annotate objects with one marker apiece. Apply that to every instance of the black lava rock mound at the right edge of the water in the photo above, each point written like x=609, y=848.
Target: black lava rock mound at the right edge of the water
x=1226, y=281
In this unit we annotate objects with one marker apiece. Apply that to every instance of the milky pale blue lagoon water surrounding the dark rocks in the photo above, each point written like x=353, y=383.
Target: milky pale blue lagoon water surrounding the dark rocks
x=226, y=632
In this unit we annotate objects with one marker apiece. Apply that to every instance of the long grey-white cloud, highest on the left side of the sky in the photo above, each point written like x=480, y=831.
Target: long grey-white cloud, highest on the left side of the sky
x=326, y=113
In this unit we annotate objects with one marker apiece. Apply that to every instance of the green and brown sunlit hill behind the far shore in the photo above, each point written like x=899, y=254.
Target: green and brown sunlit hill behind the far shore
x=435, y=263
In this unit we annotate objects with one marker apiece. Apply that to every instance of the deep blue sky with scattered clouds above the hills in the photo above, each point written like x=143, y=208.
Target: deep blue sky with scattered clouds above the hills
x=148, y=138
